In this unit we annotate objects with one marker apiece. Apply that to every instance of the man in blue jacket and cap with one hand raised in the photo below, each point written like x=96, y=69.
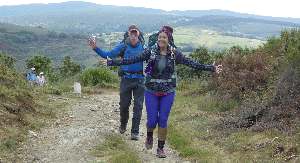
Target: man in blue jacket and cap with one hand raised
x=132, y=78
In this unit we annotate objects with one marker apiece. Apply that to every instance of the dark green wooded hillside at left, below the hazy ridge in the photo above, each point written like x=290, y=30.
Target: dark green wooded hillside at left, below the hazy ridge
x=24, y=42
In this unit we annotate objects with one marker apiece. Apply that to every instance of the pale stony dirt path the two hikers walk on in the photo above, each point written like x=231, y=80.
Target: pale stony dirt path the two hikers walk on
x=71, y=137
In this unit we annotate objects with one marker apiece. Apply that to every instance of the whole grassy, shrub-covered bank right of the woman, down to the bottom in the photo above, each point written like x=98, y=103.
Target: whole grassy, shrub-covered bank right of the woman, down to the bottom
x=248, y=113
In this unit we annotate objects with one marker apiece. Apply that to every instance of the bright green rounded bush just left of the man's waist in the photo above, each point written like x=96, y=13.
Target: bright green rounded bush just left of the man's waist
x=98, y=76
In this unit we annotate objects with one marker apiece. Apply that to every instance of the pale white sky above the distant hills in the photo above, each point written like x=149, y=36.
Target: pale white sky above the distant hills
x=275, y=8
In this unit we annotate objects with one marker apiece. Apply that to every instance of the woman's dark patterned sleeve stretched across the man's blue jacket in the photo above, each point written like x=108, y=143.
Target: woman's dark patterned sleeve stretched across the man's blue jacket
x=131, y=60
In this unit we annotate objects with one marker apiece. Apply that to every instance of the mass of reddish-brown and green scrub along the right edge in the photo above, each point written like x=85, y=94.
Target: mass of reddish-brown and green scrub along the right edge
x=272, y=106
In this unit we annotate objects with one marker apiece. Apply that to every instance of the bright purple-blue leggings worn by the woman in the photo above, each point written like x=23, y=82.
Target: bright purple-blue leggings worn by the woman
x=158, y=109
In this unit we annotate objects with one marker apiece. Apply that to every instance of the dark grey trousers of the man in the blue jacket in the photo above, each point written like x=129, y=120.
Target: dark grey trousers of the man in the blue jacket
x=128, y=88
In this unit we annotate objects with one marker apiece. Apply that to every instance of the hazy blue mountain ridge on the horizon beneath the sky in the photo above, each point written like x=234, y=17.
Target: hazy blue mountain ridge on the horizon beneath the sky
x=84, y=17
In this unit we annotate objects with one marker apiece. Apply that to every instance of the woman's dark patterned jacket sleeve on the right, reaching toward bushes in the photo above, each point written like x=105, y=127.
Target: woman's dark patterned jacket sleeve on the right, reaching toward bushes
x=181, y=59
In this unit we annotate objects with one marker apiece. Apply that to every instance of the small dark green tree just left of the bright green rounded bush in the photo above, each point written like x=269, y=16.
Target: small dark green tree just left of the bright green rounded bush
x=69, y=68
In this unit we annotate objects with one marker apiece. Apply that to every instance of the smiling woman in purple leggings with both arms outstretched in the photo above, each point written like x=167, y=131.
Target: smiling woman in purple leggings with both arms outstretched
x=161, y=83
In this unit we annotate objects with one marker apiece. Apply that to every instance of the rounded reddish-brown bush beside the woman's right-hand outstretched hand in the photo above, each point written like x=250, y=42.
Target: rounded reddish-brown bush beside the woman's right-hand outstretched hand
x=243, y=72
